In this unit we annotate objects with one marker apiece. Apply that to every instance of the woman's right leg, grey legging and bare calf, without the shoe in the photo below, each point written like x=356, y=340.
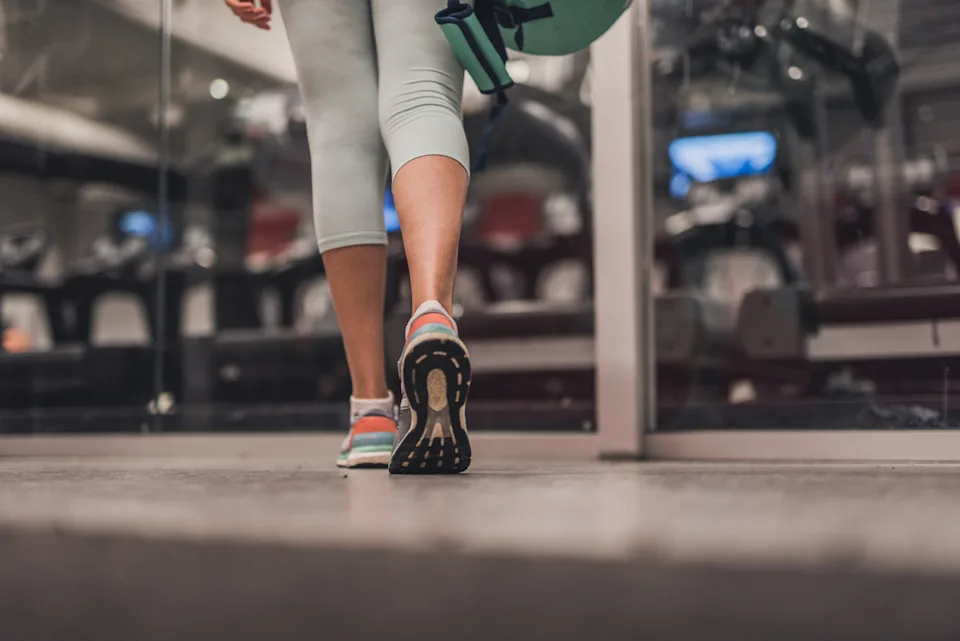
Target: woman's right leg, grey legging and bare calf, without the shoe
x=421, y=84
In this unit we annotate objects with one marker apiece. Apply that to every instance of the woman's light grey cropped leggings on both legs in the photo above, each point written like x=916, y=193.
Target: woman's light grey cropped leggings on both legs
x=379, y=81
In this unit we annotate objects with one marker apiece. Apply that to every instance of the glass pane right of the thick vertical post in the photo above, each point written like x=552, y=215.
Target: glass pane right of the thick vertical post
x=806, y=161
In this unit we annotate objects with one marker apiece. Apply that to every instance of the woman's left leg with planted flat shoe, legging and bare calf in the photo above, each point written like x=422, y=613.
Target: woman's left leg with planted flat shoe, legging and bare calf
x=332, y=44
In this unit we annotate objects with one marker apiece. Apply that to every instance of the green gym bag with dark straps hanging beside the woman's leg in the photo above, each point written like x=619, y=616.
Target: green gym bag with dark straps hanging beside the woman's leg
x=482, y=32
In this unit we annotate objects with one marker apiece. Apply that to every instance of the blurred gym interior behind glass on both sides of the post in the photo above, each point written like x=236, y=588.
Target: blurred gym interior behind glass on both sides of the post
x=158, y=270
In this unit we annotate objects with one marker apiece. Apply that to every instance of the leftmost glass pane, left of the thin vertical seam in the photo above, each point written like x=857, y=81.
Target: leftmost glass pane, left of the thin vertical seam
x=79, y=171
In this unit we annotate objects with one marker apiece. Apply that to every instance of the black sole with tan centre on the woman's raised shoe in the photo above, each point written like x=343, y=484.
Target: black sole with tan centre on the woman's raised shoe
x=436, y=377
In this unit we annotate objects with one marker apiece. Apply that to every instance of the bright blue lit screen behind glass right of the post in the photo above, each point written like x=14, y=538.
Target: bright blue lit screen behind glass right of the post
x=709, y=158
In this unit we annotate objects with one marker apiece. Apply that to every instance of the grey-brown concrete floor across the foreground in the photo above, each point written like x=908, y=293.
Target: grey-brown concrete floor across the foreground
x=181, y=549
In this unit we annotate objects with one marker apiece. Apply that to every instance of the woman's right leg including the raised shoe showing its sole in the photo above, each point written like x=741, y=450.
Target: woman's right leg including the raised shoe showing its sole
x=420, y=118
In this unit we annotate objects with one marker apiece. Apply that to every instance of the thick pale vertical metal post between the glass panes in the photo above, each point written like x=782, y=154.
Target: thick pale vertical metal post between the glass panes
x=623, y=234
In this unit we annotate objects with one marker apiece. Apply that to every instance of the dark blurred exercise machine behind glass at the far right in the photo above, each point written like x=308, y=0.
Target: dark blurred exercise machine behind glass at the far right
x=881, y=330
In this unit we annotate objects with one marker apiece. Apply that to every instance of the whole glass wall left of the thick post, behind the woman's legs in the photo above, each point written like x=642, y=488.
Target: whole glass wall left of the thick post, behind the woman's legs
x=158, y=266
